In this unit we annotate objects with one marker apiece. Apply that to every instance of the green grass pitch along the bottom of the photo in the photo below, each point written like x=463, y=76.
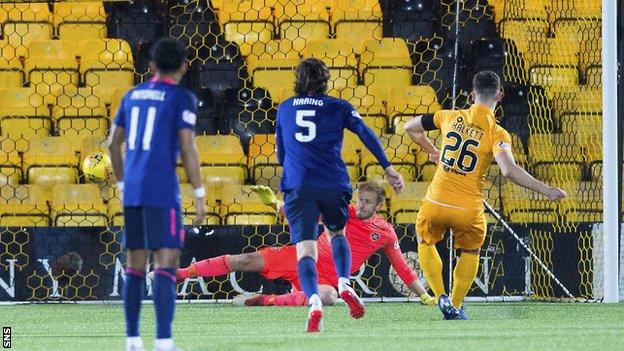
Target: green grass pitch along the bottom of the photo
x=397, y=326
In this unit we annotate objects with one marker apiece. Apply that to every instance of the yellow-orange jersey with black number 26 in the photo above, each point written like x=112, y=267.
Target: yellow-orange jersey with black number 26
x=469, y=140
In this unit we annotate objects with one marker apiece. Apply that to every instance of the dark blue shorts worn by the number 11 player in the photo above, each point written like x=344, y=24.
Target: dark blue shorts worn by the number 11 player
x=153, y=228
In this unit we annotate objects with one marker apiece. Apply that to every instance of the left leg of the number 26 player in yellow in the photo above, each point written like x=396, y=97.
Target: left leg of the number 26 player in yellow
x=428, y=234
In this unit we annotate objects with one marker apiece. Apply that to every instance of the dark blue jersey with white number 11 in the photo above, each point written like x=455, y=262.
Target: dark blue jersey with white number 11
x=151, y=114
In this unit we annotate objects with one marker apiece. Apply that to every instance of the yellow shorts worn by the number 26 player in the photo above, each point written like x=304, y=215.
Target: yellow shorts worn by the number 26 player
x=468, y=224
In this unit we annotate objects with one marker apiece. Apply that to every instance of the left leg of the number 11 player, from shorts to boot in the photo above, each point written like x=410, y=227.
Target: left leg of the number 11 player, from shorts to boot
x=134, y=285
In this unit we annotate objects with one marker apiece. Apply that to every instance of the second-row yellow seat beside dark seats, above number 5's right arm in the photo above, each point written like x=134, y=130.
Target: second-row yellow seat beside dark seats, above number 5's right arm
x=386, y=52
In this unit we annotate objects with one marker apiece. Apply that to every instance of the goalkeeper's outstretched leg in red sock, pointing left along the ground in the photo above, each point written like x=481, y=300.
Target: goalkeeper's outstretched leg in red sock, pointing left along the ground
x=216, y=266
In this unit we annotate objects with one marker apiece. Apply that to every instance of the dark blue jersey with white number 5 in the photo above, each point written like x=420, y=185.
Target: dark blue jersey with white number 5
x=309, y=134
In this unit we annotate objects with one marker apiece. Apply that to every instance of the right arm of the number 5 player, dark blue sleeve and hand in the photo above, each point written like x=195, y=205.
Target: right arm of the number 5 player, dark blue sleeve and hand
x=370, y=140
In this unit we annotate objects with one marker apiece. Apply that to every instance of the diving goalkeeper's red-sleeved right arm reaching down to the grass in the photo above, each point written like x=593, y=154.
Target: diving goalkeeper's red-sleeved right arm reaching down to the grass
x=405, y=272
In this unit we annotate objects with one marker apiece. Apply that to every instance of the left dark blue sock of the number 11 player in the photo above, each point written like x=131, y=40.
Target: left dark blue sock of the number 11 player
x=133, y=294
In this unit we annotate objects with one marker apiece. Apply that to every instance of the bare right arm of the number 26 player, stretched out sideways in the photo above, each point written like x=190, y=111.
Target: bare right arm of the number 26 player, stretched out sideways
x=518, y=175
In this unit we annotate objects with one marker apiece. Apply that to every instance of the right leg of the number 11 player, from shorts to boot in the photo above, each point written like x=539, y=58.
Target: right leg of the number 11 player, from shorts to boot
x=165, y=238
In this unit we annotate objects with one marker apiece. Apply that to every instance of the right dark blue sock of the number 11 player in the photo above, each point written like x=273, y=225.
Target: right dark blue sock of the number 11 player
x=164, y=290
